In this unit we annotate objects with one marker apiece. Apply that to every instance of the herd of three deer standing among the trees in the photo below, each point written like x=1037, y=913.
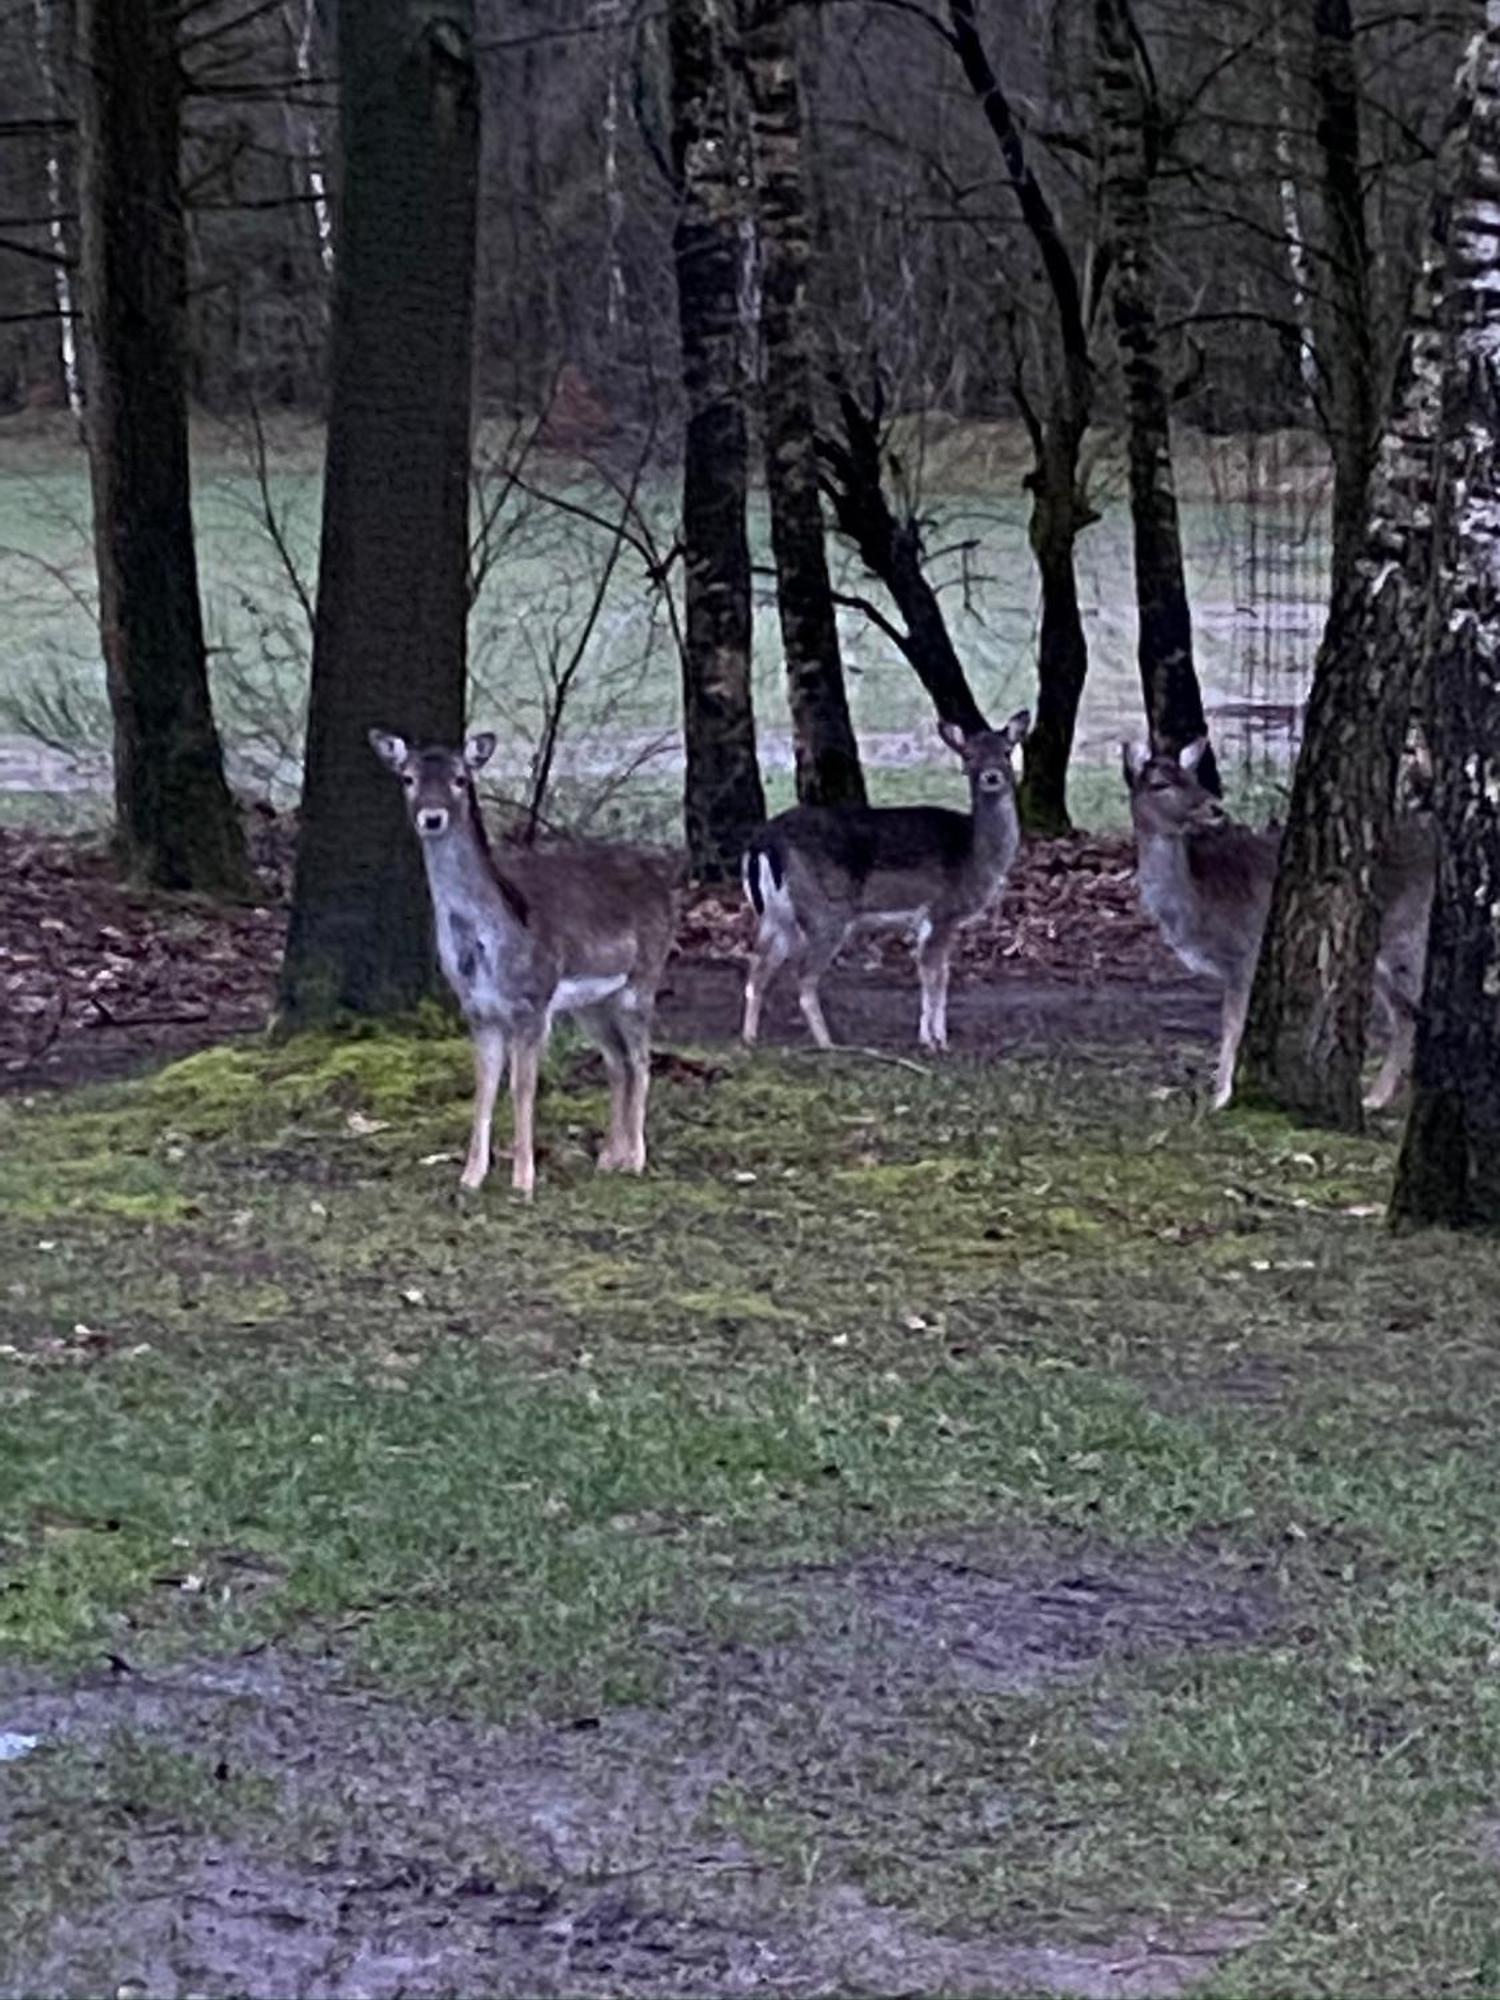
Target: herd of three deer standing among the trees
x=531, y=935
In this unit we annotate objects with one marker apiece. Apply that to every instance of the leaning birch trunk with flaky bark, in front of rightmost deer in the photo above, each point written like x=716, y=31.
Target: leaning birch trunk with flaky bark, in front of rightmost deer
x=1305, y=1037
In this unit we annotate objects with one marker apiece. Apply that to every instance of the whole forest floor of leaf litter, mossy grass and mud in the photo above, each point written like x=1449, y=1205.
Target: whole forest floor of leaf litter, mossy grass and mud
x=961, y=1527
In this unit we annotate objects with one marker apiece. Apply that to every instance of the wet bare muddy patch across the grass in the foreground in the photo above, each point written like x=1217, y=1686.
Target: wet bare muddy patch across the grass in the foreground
x=419, y=1855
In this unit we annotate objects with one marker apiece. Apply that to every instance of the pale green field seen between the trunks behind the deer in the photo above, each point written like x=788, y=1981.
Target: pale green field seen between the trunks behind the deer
x=1255, y=571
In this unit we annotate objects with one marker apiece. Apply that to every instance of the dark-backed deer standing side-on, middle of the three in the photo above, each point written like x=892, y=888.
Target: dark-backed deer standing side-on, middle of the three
x=817, y=875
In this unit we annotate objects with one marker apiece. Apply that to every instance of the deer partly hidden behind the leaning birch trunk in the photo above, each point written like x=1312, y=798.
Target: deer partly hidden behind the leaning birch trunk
x=1207, y=883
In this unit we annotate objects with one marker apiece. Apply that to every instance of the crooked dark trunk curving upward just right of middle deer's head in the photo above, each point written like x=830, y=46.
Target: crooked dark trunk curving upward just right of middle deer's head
x=1057, y=431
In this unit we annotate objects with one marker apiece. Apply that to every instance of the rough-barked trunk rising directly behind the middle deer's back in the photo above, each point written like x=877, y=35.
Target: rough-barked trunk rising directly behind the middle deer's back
x=827, y=753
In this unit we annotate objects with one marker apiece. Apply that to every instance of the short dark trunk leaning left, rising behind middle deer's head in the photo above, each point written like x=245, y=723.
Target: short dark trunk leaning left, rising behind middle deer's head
x=891, y=549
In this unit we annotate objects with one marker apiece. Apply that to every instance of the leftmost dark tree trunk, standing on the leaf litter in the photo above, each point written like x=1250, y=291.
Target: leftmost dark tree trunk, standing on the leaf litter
x=177, y=825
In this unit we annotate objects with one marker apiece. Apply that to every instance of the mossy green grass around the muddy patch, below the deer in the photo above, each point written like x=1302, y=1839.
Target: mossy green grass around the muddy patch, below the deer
x=269, y=1381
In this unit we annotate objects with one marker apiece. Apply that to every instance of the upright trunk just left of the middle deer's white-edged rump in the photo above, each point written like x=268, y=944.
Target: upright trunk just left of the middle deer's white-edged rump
x=723, y=797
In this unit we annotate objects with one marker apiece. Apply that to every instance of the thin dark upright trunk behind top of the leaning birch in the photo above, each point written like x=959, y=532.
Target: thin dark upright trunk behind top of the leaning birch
x=1349, y=341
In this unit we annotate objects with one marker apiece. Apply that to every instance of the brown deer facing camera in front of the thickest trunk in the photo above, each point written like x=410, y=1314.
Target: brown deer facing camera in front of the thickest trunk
x=527, y=935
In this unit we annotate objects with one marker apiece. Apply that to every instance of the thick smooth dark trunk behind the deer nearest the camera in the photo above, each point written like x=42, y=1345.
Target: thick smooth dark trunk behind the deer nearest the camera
x=393, y=579
